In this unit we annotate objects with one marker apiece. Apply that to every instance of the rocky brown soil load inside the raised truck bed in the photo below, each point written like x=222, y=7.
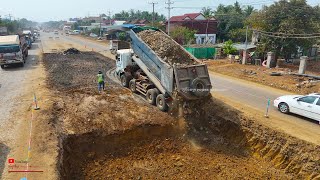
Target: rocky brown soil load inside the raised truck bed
x=166, y=48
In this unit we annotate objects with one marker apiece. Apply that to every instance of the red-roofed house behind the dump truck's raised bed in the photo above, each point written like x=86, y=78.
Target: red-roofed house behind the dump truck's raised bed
x=206, y=28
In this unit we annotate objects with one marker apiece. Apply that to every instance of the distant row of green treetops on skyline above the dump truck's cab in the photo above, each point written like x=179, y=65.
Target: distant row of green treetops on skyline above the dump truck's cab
x=132, y=15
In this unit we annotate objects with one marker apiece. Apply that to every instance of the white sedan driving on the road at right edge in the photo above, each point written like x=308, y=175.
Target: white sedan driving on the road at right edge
x=308, y=106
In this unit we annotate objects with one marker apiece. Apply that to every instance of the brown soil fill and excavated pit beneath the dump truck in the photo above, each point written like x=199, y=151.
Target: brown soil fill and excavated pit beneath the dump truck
x=116, y=135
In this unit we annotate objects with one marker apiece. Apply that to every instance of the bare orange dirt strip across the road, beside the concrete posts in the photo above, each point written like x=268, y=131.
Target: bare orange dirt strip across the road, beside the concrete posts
x=261, y=75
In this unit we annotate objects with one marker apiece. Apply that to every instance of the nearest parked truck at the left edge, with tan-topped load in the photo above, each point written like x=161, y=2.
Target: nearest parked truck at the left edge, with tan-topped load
x=13, y=50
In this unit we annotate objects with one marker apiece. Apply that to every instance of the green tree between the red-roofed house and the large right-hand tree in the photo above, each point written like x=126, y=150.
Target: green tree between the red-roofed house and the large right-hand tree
x=231, y=18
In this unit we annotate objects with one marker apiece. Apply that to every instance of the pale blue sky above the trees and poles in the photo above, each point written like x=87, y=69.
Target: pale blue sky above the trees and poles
x=45, y=10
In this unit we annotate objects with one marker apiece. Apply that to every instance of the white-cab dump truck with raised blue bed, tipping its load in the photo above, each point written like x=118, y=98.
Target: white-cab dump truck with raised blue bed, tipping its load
x=143, y=71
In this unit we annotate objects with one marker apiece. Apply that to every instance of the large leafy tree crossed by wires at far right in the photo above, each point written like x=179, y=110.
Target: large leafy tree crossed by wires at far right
x=287, y=17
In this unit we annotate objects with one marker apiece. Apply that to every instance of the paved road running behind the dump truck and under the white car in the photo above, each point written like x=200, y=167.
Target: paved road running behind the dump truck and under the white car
x=252, y=95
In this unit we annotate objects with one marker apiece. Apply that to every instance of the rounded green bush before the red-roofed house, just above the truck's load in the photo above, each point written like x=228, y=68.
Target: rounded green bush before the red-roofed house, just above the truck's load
x=183, y=35
